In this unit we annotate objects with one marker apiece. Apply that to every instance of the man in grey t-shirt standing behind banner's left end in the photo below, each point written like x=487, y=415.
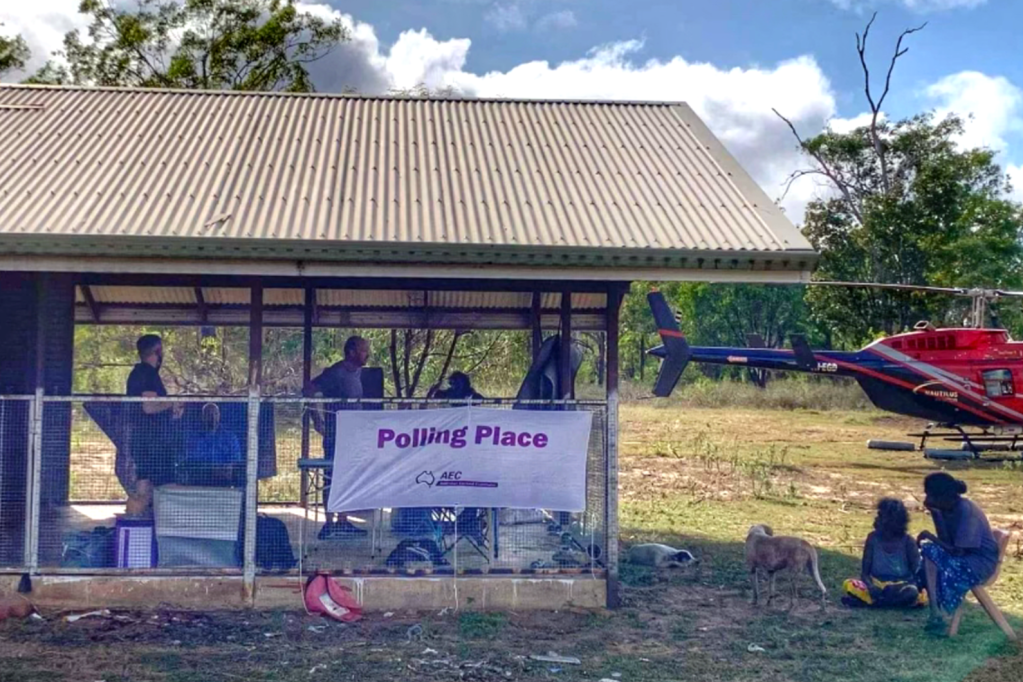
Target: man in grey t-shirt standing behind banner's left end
x=342, y=381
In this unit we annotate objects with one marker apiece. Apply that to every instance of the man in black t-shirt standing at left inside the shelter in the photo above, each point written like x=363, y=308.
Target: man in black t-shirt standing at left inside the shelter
x=153, y=433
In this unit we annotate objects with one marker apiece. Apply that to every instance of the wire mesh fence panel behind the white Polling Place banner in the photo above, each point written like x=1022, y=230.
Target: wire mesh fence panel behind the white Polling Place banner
x=422, y=540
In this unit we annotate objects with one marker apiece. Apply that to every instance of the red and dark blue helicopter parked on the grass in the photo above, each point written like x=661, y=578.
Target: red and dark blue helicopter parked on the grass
x=955, y=378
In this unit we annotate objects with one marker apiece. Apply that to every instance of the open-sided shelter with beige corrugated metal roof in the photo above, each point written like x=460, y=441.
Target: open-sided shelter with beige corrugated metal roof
x=264, y=210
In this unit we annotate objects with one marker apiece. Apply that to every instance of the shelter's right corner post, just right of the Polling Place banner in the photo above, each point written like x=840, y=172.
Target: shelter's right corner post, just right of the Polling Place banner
x=611, y=478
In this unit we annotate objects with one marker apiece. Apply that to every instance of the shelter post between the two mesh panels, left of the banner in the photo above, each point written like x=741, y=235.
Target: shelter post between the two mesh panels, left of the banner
x=252, y=441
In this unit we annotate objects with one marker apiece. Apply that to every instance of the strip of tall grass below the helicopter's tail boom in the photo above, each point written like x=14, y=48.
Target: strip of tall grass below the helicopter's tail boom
x=795, y=394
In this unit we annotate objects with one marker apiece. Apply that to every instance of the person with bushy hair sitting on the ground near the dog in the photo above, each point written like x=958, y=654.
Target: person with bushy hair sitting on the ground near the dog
x=892, y=564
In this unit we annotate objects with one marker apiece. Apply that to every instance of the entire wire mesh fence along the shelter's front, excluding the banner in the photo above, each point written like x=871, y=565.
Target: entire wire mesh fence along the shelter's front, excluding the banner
x=146, y=485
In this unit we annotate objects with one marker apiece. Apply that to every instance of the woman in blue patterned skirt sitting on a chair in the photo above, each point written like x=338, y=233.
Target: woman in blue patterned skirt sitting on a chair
x=962, y=556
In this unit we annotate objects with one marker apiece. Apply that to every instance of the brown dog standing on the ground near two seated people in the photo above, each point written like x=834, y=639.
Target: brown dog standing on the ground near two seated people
x=771, y=555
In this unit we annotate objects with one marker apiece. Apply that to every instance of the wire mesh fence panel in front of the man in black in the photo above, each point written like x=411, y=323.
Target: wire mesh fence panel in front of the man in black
x=139, y=484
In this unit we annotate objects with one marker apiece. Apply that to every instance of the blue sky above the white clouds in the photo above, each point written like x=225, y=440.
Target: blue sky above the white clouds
x=727, y=33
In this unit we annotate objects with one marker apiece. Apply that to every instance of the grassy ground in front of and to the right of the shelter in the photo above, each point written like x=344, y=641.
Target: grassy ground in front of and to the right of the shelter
x=692, y=477
